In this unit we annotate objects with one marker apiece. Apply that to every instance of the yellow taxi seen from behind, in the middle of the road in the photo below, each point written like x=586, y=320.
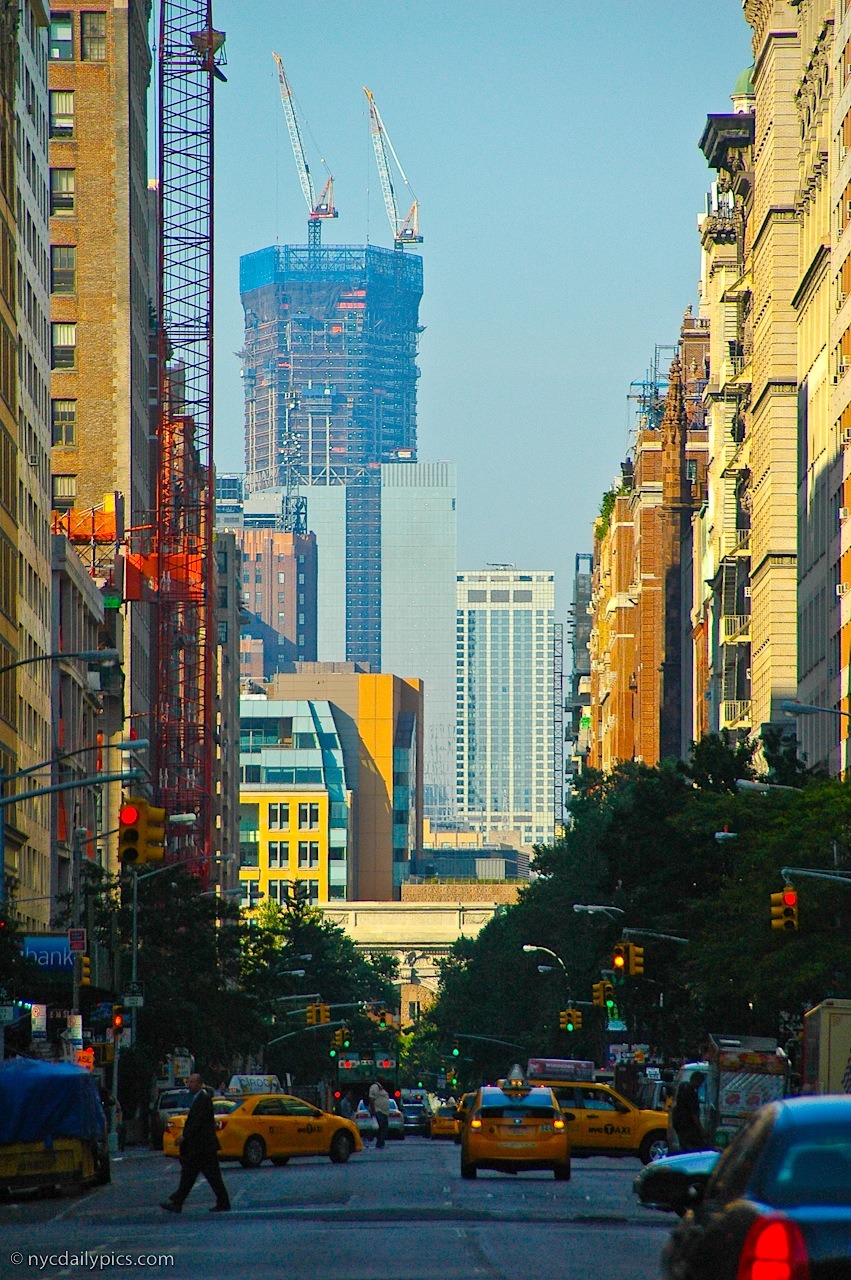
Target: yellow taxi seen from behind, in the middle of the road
x=514, y=1127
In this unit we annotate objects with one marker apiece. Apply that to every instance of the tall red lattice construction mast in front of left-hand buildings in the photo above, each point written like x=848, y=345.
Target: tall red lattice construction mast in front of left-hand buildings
x=190, y=54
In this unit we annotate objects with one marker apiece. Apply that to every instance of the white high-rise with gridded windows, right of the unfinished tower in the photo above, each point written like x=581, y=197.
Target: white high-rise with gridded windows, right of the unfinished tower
x=506, y=636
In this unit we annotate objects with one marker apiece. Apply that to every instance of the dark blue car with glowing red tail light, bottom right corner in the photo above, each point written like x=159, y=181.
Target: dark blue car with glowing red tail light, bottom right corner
x=776, y=1205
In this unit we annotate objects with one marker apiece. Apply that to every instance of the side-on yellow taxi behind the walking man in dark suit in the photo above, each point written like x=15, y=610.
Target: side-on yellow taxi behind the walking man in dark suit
x=280, y=1127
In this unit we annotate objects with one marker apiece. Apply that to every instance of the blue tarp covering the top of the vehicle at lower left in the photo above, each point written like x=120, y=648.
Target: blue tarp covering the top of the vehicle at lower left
x=42, y=1101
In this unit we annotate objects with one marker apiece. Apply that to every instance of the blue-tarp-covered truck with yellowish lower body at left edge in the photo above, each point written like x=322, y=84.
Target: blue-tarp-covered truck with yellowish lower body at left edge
x=53, y=1128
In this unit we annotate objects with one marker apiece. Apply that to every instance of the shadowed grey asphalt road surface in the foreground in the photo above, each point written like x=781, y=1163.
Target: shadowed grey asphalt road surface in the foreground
x=400, y=1214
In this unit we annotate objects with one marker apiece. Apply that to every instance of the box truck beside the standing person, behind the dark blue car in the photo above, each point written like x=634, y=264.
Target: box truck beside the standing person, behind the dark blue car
x=744, y=1073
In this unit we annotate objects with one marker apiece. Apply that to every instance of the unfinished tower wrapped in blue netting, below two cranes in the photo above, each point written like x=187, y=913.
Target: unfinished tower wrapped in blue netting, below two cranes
x=331, y=381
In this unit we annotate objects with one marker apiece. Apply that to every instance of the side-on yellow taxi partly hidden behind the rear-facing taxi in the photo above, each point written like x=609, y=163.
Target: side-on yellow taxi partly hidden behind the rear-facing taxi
x=601, y=1122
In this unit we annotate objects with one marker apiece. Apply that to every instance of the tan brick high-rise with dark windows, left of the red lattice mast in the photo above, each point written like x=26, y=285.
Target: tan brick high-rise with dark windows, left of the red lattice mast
x=99, y=74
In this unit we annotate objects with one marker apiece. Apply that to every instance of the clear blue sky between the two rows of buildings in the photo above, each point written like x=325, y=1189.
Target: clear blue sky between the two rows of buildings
x=553, y=149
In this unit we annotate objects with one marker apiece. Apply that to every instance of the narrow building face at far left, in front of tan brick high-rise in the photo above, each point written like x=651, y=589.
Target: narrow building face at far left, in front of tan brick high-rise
x=34, y=714
